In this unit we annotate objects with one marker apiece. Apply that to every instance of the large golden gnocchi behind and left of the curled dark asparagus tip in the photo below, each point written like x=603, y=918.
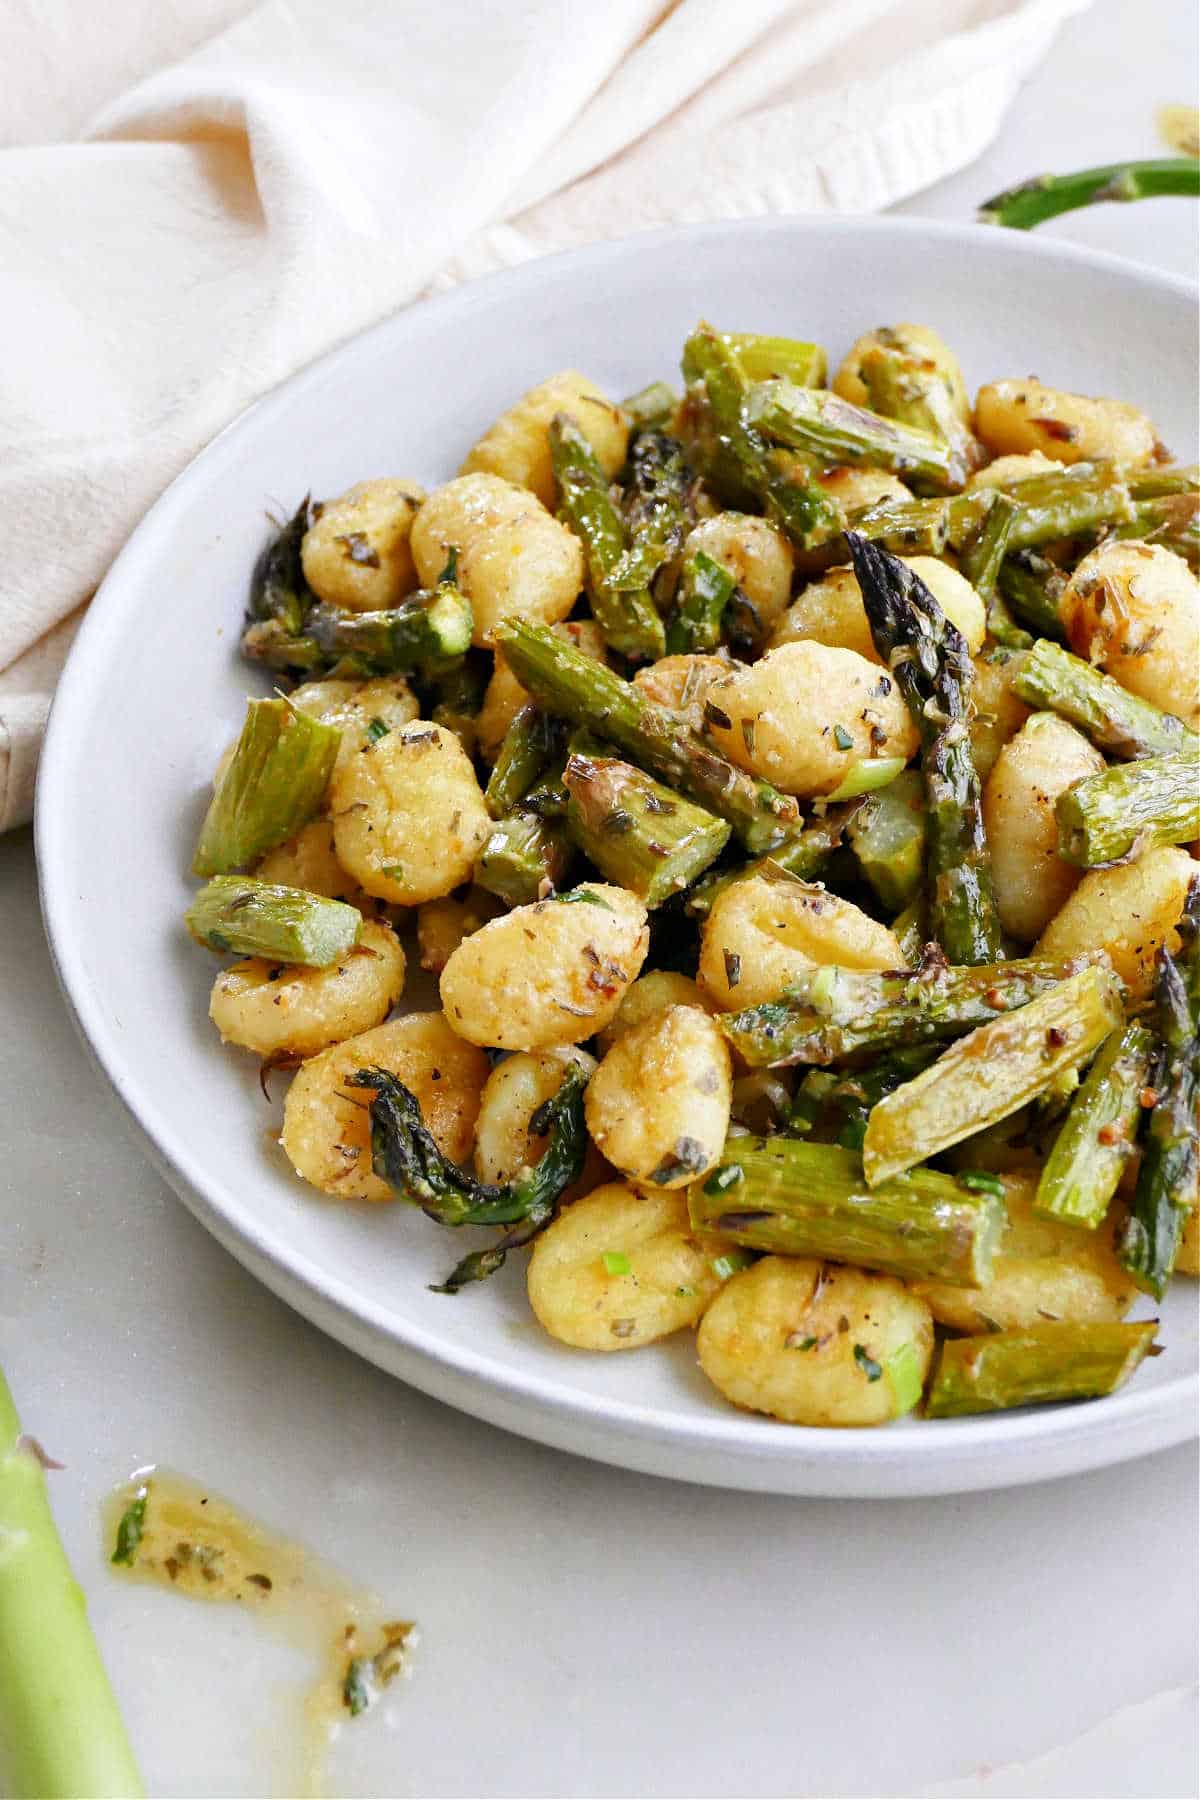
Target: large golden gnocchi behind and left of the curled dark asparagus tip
x=327, y=1129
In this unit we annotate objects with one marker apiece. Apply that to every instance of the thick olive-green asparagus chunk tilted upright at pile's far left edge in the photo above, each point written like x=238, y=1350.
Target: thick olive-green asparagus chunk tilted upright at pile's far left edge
x=274, y=784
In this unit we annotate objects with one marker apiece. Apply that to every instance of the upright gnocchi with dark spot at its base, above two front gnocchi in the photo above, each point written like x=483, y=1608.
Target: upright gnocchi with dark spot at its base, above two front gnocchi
x=659, y=1102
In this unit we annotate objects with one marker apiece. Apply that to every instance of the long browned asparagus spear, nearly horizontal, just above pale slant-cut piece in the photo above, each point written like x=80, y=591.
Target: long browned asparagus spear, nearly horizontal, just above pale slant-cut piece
x=832, y=1014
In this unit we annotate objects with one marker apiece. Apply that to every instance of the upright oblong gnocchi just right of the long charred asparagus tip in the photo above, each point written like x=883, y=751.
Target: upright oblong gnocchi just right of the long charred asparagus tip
x=1037, y=766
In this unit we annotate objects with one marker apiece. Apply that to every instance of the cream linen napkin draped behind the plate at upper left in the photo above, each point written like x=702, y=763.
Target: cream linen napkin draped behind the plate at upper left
x=276, y=177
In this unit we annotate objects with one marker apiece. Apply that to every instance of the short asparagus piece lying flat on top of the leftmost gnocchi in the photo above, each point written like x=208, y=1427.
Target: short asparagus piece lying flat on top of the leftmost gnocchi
x=260, y=919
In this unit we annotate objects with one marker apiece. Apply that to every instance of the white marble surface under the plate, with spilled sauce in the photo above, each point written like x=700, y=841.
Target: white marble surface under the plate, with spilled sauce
x=586, y=1632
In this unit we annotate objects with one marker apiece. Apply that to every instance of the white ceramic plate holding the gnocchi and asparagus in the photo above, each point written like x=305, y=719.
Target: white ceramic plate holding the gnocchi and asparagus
x=154, y=692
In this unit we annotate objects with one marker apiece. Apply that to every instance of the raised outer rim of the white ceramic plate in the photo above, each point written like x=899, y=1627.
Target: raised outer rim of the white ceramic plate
x=794, y=1459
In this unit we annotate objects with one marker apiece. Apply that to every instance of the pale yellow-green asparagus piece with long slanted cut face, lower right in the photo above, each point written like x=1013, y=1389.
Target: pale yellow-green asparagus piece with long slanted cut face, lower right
x=992, y=1074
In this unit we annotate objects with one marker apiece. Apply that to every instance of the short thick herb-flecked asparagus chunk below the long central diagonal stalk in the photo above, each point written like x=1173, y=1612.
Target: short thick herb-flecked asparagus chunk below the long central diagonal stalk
x=638, y=832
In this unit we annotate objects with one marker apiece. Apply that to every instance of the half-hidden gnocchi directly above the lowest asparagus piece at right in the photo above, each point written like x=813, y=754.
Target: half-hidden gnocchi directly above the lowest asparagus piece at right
x=1043, y=1270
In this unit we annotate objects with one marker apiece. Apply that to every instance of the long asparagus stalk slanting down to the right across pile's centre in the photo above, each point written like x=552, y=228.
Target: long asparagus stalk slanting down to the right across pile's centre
x=568, y=683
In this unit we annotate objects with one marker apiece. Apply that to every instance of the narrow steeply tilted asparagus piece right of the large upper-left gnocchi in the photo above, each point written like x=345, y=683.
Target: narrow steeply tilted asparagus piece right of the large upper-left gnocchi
x=618, y=589
